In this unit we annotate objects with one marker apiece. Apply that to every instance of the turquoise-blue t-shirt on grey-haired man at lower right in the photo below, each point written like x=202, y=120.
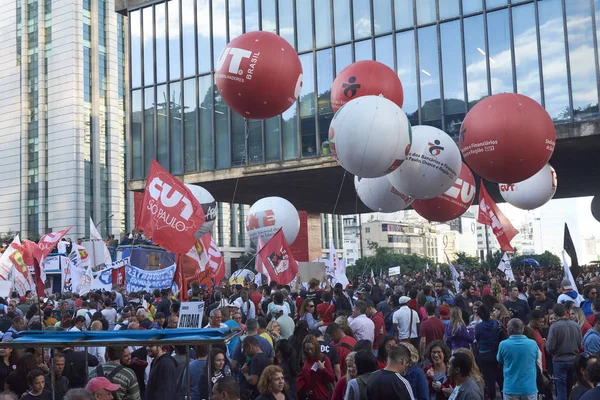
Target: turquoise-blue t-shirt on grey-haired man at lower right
x=519, y=356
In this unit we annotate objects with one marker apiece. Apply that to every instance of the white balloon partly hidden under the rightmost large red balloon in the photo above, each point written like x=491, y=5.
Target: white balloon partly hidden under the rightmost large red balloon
x=533, y=192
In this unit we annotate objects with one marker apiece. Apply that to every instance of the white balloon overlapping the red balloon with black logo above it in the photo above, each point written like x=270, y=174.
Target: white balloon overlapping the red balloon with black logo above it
x=369, y=136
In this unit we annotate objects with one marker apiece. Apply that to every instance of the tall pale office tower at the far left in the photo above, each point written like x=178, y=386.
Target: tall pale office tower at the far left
x=62, y=116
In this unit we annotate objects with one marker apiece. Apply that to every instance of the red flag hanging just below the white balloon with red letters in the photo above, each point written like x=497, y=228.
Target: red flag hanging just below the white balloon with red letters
x=278, y=260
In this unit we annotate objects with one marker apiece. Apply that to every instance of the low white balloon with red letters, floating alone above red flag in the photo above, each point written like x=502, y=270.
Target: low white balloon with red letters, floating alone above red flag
x=268, y=215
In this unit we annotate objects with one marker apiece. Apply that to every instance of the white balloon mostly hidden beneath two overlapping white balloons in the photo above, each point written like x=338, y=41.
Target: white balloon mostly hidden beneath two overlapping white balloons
x=379, y=195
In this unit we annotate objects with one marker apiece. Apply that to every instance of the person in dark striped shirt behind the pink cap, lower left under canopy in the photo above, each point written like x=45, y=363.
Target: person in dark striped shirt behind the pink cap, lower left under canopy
x=118, y=374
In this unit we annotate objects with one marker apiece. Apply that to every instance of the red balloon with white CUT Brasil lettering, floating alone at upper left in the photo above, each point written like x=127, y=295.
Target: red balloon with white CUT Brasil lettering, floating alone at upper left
x=259, y=75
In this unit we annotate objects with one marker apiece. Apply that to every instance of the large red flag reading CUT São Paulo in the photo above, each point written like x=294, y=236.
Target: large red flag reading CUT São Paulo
x=170, y=213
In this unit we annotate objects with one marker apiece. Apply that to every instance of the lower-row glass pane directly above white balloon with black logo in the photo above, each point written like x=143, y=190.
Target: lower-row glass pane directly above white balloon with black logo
x=430, y=78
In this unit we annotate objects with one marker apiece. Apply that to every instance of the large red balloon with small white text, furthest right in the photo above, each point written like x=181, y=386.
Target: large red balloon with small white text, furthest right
x=507, y=138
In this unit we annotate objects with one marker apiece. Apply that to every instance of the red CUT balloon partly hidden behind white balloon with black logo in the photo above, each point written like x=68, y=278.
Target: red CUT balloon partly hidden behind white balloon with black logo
x=452, y=204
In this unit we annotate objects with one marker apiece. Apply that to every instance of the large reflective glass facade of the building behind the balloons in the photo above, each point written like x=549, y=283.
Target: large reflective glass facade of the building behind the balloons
x=449, y=54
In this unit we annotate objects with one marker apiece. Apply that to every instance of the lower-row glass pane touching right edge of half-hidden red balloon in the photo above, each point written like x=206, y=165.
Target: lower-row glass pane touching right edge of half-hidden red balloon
x=407, y=72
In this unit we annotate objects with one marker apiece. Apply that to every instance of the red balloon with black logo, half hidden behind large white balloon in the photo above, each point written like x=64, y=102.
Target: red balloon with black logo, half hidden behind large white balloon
x=365, y=78
